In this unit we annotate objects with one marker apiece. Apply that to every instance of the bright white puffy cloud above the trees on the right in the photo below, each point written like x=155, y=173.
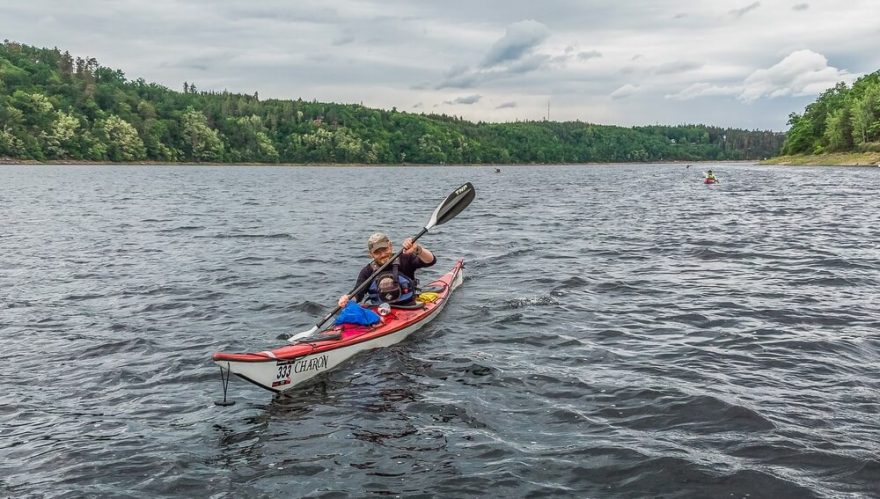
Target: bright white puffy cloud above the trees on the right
x=801, y=73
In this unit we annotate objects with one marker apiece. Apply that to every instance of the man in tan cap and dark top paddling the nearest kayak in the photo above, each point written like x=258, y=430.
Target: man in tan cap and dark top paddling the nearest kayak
x=397, y=284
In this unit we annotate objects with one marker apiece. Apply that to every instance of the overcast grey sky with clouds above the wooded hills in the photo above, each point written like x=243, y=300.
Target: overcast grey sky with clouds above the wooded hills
x=740, y=63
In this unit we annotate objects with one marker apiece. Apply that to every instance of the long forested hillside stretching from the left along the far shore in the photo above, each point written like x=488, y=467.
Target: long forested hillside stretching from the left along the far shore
x=57, y=107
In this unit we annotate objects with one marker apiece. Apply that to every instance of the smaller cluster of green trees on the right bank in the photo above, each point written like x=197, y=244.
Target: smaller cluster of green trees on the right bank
x=842, y=119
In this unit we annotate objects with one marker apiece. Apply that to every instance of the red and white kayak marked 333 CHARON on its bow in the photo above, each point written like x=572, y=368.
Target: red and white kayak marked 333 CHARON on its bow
x=285, y=367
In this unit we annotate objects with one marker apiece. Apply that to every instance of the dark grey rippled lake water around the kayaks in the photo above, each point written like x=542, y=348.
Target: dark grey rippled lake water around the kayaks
x=623, y=331
